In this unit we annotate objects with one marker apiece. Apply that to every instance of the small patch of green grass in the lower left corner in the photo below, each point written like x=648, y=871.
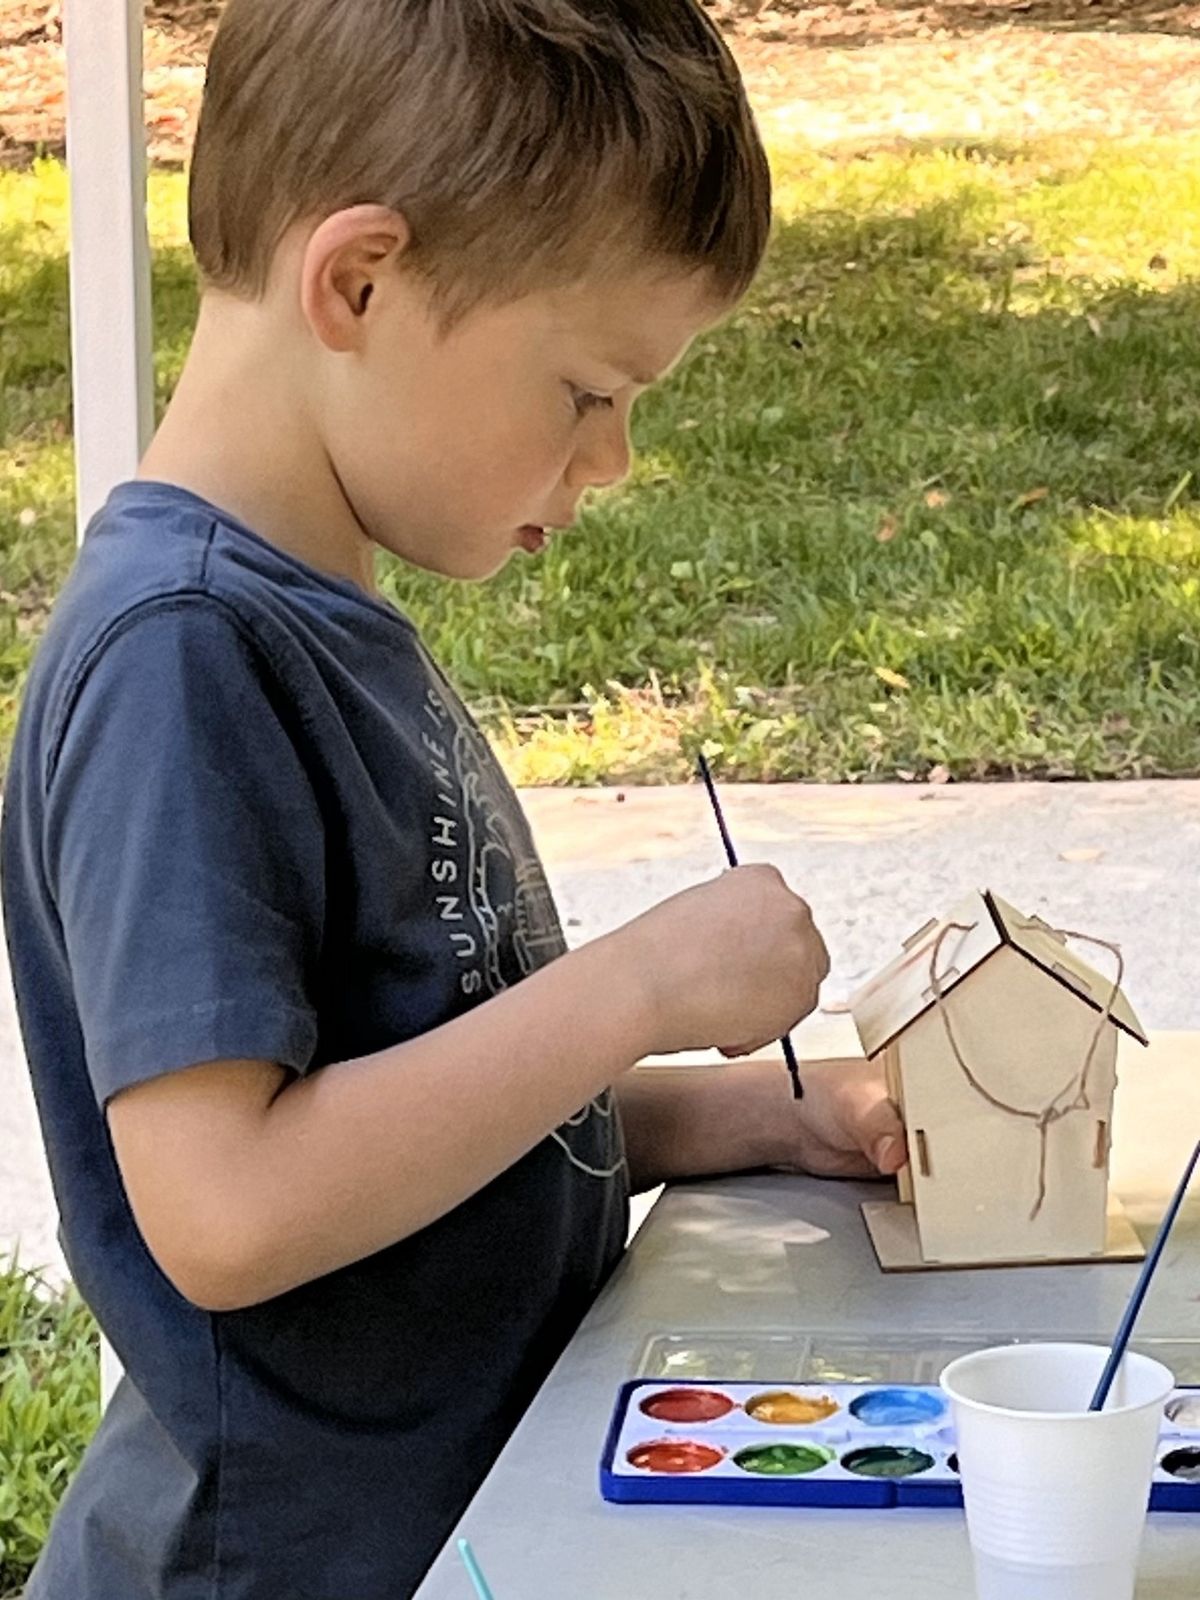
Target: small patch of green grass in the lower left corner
x=49, y=1410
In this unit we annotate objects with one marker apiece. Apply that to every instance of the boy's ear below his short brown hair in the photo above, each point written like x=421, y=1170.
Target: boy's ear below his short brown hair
x=343, y=265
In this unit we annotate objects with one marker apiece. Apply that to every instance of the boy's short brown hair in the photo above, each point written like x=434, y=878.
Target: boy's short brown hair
x=526, y=142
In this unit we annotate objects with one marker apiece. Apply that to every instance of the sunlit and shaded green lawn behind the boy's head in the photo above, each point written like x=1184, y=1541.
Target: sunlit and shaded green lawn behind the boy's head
x=929, y=500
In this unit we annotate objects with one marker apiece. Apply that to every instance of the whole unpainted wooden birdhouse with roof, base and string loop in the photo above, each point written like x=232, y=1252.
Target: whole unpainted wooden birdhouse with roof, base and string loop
x=1001, y=1049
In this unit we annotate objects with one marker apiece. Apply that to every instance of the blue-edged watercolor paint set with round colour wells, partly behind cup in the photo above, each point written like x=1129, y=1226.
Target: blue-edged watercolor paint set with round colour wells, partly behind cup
x=796, y=1444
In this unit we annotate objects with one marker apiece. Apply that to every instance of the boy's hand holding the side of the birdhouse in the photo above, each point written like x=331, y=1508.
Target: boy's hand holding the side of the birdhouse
x=846, y=1126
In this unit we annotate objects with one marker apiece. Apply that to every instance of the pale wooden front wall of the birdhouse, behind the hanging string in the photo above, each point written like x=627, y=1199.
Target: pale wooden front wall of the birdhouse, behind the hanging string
x=975, y=1167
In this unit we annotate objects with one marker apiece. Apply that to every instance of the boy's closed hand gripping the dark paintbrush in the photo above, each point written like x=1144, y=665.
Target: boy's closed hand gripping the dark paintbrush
x=729, y=966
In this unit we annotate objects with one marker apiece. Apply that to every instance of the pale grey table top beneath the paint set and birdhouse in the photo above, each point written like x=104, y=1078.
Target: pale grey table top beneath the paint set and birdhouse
x=745, y=1255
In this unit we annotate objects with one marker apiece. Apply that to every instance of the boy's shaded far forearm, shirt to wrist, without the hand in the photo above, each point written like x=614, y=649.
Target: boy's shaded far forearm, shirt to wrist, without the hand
x=694, y=1122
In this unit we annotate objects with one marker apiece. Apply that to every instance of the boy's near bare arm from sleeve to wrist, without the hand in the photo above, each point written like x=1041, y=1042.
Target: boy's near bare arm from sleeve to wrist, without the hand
x=247, y=1185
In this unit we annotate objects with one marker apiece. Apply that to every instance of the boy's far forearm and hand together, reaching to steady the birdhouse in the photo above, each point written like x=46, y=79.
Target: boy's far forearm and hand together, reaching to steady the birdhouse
x=694, y=1122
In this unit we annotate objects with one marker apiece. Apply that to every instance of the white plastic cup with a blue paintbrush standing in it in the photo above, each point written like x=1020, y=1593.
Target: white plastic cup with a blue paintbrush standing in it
x=1055, y=1494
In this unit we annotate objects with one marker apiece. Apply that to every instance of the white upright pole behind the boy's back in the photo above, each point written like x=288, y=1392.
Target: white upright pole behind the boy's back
x=113, y=372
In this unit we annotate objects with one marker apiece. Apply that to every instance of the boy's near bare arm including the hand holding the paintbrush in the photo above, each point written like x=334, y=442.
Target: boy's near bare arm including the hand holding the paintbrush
x=247, y=1183
